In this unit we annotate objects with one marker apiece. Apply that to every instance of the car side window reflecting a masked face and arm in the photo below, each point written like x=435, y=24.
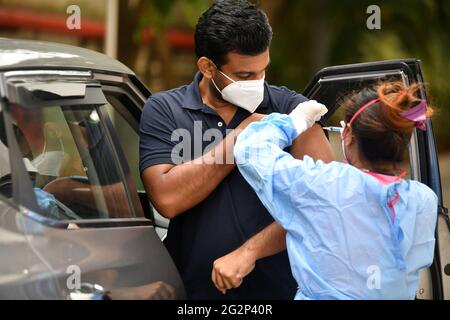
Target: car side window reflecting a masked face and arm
x=71, y=163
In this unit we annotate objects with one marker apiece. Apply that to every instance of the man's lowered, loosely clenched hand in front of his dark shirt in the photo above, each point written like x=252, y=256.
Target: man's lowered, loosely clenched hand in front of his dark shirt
x=229, y=271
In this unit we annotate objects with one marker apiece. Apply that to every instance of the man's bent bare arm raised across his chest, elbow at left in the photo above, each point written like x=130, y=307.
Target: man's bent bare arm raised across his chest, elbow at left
x=174, y=189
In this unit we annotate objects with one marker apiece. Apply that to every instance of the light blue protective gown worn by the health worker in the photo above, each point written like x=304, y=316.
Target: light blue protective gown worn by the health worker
x=343, y=240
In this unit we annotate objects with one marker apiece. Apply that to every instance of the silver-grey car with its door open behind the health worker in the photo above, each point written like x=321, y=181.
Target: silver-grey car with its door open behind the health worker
x=75, y=222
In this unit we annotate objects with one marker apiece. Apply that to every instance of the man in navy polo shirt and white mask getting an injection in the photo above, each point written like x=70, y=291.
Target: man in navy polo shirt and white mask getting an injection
x=220, y=235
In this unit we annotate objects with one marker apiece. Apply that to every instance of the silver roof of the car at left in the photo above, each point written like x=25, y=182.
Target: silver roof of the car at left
x=29, y=54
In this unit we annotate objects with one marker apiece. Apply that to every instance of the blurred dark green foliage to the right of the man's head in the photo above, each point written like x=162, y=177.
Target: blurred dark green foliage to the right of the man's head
x=310, y=35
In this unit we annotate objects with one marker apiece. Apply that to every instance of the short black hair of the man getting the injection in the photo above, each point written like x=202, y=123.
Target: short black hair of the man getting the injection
x=232, y=26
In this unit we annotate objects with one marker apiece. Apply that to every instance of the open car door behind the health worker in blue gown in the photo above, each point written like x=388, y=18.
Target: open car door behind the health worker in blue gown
x=330, y=85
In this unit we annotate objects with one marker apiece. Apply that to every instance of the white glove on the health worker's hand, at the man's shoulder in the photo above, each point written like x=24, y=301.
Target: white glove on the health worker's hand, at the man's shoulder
x=306, y=114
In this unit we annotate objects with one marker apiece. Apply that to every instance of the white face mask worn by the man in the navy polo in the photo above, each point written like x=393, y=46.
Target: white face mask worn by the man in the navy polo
x=246, y=94
